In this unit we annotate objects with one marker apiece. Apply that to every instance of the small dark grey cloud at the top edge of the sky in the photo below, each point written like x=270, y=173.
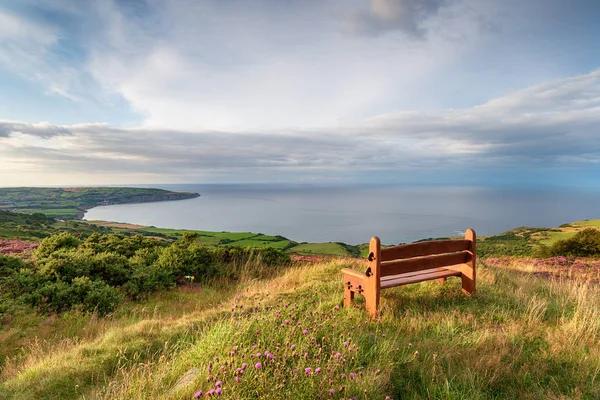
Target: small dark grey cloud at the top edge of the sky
x=389, y=15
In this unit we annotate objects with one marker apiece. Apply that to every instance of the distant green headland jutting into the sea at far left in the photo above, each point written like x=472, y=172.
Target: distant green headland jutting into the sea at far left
x=71, y=203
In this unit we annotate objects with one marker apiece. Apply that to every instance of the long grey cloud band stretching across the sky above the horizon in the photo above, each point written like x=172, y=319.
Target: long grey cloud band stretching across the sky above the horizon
x=557, y=127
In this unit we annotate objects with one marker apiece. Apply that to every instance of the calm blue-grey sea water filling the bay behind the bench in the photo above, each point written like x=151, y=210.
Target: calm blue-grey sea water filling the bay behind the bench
x=353, y=214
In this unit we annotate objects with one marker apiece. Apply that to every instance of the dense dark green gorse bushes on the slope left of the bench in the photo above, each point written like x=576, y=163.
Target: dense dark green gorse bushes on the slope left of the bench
x=94, y=274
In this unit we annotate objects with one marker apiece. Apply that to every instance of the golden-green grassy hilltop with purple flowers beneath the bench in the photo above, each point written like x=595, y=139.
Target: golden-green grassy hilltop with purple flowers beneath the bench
x=519, y=336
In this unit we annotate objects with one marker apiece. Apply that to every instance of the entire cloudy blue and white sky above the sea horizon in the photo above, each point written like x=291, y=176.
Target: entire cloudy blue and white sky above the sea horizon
x=469, y=92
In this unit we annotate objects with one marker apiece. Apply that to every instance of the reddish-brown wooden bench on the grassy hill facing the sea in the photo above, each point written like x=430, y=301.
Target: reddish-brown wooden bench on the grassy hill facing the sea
x=411, y=263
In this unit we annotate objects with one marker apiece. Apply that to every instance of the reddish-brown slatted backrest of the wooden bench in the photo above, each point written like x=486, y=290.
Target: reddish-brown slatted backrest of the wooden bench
x=420, y=256
